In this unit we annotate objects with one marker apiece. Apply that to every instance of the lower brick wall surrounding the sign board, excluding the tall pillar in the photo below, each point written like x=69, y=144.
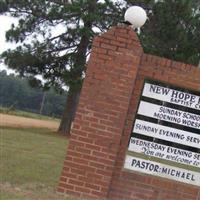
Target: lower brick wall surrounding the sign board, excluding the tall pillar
x=135, y=186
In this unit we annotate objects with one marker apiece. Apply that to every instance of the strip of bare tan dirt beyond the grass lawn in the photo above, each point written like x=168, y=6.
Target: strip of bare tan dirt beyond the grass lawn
x=23, y=122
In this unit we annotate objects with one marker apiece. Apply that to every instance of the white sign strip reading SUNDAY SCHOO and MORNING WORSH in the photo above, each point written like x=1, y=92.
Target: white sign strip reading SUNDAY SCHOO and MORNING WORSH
x=169, y=114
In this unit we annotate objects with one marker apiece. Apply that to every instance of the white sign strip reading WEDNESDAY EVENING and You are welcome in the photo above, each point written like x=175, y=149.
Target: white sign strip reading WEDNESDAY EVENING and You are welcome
x=164, y=152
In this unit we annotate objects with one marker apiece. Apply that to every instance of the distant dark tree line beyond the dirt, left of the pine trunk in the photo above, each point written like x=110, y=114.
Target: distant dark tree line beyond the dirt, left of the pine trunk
x=16, y=93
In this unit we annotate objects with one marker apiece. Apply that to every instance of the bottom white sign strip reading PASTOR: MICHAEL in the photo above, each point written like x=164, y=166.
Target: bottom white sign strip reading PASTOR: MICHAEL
x=162, y=170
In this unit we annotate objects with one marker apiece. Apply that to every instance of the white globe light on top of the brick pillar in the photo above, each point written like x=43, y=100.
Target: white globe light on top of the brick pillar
x=136, y=16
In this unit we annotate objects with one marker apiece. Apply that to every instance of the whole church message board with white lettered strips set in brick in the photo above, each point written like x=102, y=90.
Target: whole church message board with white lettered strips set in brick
x=165, y=139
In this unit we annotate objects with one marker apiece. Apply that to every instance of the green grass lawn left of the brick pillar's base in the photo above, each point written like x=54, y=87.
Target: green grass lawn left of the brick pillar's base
x=31, y=163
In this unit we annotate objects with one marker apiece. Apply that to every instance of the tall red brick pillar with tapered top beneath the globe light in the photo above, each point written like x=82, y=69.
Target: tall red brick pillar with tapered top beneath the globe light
x=101, y=114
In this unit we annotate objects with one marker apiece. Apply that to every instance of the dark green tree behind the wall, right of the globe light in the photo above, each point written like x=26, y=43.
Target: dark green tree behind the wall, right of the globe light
x=173, y=30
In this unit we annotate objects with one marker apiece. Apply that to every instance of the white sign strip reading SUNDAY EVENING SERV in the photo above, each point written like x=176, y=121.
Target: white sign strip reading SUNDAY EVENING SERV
x=167, y=133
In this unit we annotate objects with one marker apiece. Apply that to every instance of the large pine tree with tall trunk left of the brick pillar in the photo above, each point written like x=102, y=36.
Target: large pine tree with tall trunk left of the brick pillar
x=61, y=58
